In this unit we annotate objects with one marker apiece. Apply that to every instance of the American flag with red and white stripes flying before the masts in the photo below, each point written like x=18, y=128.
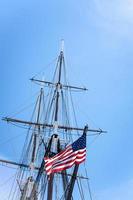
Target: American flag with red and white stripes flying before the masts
x=73, y=154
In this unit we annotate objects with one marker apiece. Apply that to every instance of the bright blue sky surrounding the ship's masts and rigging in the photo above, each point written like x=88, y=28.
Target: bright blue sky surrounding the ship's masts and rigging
x=98, y=38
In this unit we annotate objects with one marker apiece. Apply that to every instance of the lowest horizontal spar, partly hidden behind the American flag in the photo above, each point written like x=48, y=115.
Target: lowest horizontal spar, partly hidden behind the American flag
x=36, y=168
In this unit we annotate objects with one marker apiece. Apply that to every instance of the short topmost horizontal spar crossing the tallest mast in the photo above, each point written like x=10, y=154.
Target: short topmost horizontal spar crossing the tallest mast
x=62, y=85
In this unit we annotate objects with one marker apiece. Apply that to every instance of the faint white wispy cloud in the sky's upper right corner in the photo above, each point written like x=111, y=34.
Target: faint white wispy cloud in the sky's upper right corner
x=115, y=16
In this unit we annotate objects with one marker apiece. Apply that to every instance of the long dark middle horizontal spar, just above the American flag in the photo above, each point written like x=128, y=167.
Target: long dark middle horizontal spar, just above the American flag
x=51, y=125
